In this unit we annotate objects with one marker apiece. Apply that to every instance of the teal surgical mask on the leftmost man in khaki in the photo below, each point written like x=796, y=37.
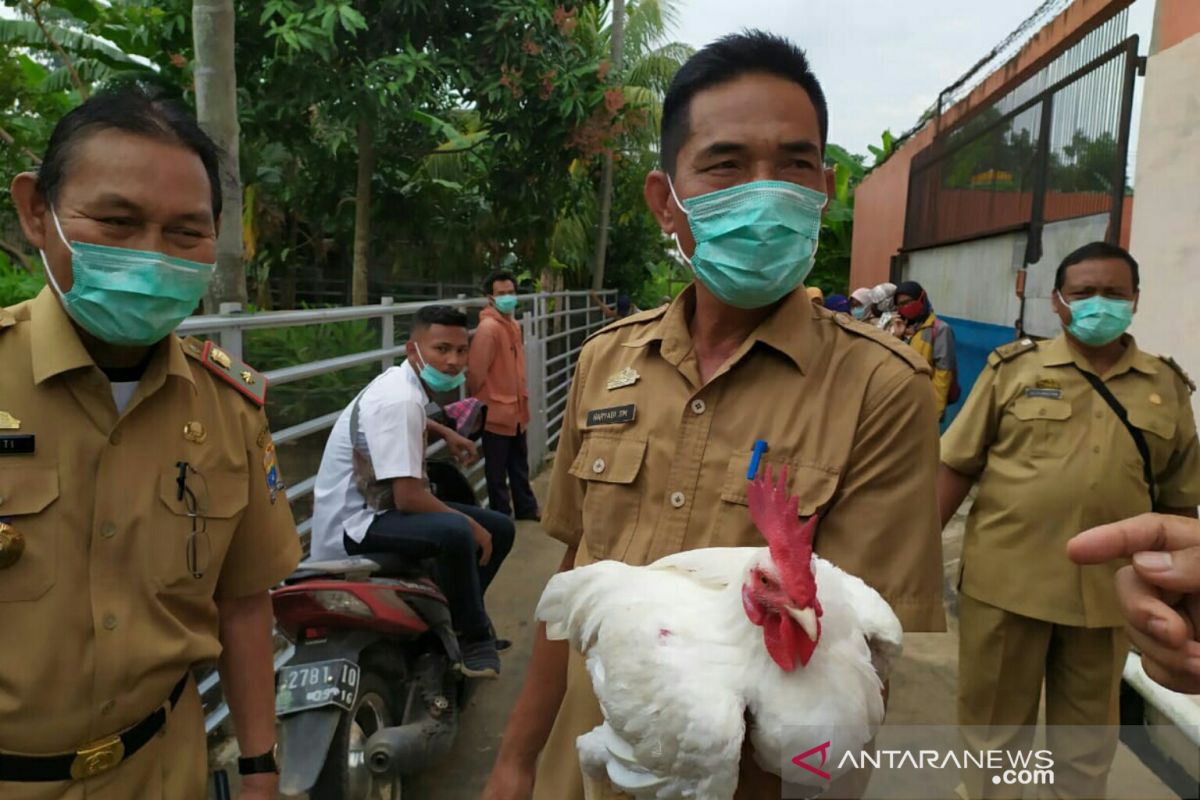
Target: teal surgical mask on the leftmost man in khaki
x=125, y=297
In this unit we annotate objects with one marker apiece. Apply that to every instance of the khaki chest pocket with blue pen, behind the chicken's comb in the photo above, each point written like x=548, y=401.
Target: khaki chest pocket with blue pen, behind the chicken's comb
x=813, y=485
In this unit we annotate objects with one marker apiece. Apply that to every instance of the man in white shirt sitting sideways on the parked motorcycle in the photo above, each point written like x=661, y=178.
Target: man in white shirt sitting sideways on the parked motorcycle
x=388, y=438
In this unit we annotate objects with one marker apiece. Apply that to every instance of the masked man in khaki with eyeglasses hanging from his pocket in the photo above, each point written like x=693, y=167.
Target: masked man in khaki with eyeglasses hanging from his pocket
x=142, y=515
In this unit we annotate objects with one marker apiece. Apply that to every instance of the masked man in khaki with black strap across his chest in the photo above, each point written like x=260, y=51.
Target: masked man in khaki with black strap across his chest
x=1053, y=459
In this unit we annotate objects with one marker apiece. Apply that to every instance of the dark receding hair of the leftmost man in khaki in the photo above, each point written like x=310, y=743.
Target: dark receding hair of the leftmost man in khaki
x=146, y=111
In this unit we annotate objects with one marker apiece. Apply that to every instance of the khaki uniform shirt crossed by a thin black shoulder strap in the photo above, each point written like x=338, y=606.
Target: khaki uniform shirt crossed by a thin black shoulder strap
x=1053, y=460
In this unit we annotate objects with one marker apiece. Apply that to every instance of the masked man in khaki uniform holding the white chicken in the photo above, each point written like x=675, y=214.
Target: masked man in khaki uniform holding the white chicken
x=667, y=406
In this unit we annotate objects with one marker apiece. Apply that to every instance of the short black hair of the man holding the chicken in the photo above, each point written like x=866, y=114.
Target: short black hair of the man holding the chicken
x=727, y=59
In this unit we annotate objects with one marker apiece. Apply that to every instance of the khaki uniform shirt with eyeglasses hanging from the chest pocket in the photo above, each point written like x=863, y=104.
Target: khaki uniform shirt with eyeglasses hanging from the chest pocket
x=101, y=616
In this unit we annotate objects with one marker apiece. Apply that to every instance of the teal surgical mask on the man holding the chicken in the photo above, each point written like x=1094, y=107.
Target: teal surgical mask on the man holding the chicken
x=755, y=243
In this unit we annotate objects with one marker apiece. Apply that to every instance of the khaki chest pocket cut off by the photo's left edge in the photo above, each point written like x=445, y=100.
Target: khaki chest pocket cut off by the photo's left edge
x=26, y=492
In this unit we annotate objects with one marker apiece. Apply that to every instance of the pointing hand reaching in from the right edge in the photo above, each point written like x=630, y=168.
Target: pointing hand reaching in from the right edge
x=1160, y=594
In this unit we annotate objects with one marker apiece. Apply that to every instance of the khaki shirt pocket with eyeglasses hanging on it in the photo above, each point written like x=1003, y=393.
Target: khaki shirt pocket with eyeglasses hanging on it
x=220, y=500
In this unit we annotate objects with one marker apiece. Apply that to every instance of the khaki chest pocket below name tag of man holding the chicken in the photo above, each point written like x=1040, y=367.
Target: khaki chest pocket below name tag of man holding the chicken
x=609, y=467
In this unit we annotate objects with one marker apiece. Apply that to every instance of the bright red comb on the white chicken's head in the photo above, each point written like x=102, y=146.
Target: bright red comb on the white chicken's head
x=776, y=514
